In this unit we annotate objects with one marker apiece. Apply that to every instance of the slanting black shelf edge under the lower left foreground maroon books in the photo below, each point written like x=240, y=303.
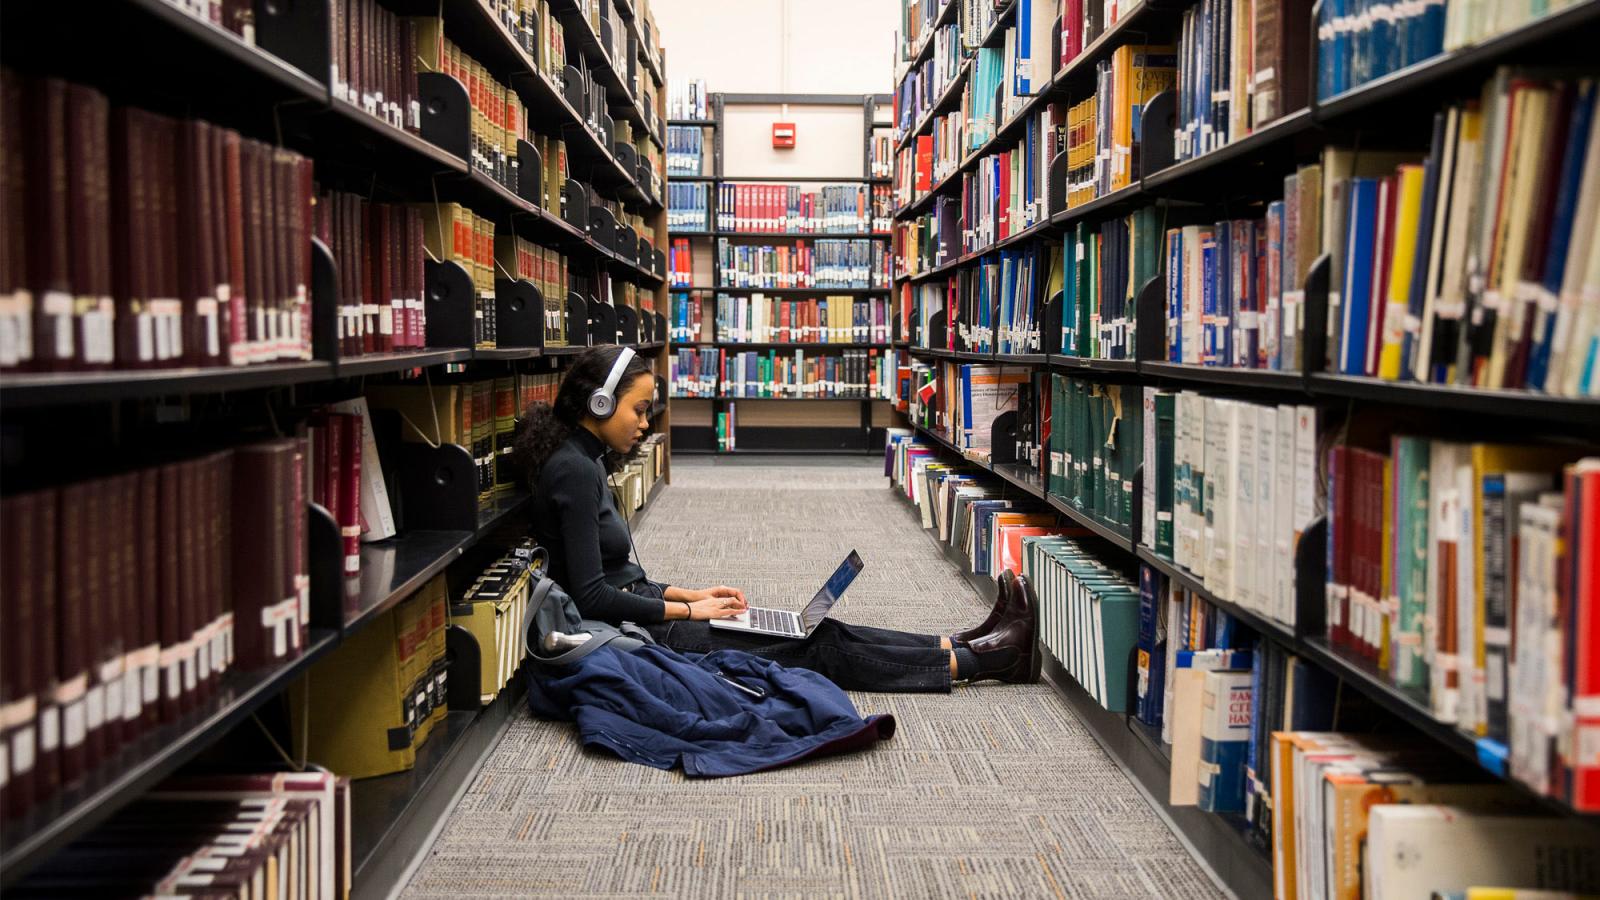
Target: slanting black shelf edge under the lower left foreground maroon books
x=161, y=752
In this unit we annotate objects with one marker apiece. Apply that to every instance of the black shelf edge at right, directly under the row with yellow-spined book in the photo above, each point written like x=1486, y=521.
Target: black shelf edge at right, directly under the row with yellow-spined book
x=1487, y=401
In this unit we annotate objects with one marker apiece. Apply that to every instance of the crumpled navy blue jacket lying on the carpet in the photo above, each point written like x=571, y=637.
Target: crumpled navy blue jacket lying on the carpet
x=663, y=709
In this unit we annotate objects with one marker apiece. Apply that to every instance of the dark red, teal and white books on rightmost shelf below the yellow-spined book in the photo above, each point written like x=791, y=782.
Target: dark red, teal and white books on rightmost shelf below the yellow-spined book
x=1465, y=585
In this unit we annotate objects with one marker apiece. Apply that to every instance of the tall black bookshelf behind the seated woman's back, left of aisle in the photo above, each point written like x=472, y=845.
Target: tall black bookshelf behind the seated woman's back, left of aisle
x=278, y=90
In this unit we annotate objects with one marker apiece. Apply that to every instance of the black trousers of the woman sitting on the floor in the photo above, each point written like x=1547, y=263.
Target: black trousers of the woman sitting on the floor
x=854, y=657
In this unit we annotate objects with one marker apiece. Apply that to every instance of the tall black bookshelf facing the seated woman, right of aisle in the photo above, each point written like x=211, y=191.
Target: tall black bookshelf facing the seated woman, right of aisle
x=1234, y=180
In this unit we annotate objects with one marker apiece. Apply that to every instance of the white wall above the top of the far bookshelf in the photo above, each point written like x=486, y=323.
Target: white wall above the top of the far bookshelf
x=834, y=47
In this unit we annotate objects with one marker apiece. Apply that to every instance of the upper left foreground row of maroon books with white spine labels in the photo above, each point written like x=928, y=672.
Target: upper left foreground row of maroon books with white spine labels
x=151, y=241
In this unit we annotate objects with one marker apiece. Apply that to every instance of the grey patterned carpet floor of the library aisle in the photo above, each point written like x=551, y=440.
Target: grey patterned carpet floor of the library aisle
x=994, y=792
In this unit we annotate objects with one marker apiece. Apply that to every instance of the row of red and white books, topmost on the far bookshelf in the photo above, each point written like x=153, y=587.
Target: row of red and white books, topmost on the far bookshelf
x=788, y=209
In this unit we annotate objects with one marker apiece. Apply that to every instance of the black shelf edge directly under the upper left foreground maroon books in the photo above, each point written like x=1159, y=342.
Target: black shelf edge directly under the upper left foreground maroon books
x=68, y=388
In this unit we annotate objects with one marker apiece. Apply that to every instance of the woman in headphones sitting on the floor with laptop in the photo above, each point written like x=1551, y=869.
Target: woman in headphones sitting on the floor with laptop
x=604, y=406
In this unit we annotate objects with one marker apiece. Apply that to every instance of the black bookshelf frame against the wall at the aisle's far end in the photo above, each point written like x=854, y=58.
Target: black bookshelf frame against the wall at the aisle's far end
x=801, y=435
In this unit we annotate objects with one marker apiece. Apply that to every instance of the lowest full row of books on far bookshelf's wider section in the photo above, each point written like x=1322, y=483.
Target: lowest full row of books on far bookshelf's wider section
x=785, y=374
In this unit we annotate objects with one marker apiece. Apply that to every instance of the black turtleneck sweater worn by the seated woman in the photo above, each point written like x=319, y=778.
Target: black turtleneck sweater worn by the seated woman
x=577, y=520
